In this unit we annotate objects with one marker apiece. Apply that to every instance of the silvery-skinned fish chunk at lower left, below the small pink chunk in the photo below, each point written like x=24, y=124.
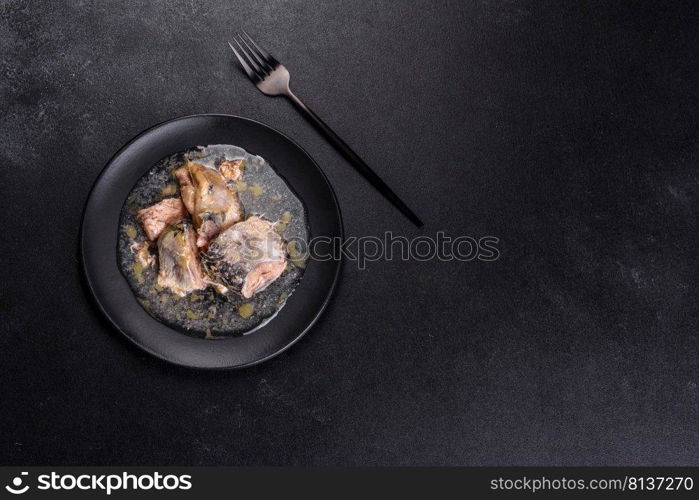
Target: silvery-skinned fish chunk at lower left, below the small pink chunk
x=180, y=268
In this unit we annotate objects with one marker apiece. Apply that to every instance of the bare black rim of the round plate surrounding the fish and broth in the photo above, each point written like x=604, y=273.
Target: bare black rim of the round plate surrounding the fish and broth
x=100, y=227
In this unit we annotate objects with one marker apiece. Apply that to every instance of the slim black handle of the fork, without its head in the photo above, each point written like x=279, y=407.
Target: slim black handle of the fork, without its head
x=355, y=160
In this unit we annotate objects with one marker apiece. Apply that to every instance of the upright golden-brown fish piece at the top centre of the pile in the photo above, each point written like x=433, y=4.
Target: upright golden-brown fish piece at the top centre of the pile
x=214, y=207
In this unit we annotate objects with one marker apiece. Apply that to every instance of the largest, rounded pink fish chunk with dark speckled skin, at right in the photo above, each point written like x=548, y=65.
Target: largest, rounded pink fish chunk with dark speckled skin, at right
x=246, y=257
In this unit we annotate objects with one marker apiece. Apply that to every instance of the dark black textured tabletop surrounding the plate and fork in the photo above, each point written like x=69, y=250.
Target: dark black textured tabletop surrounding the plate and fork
x=566, y=129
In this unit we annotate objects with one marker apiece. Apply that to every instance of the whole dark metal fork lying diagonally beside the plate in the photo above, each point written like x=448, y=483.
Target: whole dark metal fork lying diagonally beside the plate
x=272, y=78
